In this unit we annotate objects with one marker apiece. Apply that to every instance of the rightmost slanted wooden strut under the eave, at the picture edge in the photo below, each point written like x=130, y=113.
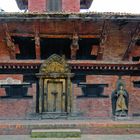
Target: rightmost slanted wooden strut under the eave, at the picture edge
x=132, y=42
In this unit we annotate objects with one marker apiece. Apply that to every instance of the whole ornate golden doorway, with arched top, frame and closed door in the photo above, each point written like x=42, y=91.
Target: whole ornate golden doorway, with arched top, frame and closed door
x=55, y=95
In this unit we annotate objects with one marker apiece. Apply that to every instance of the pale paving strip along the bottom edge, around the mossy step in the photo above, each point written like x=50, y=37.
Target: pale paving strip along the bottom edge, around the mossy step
x=84, y=137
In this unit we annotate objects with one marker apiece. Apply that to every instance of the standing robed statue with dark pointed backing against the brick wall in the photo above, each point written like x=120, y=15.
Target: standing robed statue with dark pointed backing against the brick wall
x=120, y=99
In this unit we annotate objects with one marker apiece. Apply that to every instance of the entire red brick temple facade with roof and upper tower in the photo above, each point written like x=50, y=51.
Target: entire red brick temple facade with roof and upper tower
x=58, y=62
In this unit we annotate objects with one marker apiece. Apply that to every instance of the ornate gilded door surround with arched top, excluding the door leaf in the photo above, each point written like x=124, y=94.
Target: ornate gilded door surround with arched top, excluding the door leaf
x=56, y=69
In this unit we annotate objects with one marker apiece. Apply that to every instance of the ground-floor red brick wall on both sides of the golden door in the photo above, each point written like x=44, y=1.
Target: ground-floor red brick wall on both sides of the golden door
x=87, y=107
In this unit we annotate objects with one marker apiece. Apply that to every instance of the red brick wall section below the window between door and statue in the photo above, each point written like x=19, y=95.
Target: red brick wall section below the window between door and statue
x=94, y=107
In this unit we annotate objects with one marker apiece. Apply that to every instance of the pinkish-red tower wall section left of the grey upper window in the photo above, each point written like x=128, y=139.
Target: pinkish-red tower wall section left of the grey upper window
x=37, y=5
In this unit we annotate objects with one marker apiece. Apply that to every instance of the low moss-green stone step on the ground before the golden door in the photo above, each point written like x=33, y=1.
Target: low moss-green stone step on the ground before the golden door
x=56, y=133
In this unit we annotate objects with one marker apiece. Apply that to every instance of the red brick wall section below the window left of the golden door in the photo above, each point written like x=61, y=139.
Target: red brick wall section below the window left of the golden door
x=16, y=108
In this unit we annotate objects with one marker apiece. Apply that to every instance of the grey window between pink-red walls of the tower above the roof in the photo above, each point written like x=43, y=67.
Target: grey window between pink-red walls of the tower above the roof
x=54, y=5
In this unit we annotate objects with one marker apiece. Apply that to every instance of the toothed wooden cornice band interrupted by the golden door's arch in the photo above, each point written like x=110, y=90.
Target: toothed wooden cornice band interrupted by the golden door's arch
x=75, y=65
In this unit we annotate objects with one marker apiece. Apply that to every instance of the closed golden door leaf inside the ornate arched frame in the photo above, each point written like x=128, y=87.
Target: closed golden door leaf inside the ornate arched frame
x=54, y=97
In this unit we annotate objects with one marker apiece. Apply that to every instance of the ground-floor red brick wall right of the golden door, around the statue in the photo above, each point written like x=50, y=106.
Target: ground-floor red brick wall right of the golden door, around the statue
x=101, y=107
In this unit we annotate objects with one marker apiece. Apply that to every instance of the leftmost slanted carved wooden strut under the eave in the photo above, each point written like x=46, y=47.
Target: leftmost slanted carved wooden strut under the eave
x=9, y=42
